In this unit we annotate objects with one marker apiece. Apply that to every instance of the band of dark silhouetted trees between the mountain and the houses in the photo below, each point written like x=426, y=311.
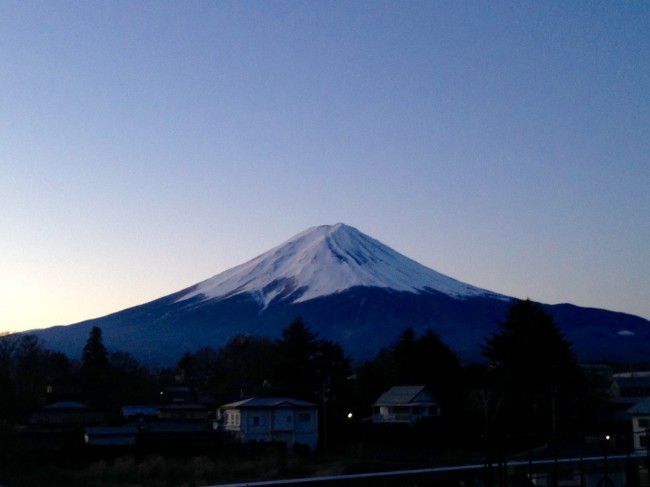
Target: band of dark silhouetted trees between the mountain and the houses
x=529, y=382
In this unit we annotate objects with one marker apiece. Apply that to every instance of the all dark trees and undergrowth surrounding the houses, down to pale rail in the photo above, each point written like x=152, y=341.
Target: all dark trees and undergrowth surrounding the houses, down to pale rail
x=530, y=397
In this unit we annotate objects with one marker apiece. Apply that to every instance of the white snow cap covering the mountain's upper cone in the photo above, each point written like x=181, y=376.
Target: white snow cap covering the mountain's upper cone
x=325, y=260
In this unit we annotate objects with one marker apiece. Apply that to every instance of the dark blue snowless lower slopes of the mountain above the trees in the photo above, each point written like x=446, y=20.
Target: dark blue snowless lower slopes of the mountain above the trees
x=362, y=319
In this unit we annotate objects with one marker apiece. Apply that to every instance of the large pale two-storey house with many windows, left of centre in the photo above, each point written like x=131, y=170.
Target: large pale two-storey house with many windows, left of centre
x=270, y=419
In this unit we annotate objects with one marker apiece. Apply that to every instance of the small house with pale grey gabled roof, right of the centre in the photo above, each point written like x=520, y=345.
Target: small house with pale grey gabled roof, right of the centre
x=404, y=404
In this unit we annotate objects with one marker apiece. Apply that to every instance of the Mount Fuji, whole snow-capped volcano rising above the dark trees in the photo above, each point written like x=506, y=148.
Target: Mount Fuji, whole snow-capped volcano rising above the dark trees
x=348, y=287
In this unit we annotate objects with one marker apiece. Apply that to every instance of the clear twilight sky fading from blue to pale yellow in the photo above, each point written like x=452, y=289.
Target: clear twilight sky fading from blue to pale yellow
x=147, y=146
